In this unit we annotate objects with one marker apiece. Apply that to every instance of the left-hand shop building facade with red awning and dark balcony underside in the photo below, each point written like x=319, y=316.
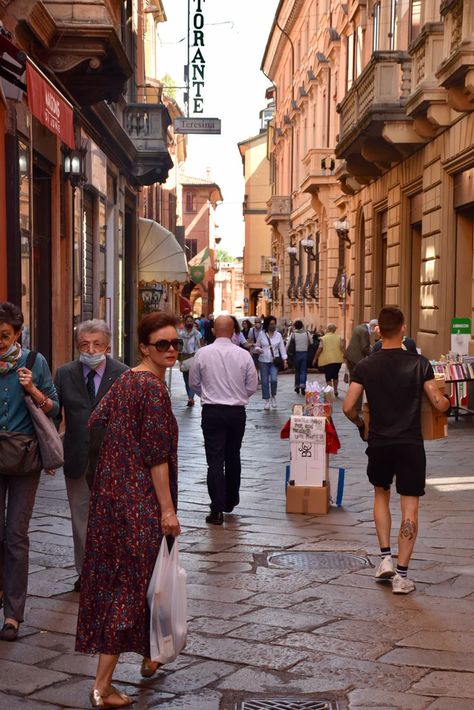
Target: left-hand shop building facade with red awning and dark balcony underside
x=81, y=139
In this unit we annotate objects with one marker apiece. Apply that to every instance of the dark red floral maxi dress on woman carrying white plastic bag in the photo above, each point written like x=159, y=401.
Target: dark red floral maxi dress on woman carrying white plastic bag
x=124, y=533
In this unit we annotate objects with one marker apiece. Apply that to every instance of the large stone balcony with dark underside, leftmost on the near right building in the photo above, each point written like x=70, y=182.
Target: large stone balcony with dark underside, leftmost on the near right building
x=375, y=131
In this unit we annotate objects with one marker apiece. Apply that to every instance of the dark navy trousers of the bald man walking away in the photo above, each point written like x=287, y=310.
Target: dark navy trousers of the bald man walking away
x=223, y=428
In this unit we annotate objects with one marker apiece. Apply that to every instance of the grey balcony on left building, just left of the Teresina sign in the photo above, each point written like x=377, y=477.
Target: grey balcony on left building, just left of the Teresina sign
x=146, y=125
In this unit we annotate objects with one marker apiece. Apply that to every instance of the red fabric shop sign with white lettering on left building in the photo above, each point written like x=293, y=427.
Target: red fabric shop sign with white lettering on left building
x=48, y=106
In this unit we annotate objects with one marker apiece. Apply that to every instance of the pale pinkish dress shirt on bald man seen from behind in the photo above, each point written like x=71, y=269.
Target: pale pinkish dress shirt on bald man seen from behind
x=223, y=373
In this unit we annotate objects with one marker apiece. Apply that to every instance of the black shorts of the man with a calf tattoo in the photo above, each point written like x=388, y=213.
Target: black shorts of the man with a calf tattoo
x=407, y=462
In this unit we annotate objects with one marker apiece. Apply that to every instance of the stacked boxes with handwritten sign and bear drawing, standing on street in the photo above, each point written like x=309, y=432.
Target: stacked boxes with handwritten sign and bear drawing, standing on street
x=308, y=490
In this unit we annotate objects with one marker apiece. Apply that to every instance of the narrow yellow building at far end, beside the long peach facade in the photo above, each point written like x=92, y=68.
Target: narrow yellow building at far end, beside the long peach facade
x=259, y=267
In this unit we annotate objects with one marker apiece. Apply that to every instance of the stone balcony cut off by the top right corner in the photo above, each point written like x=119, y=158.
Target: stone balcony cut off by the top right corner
x=456, y=72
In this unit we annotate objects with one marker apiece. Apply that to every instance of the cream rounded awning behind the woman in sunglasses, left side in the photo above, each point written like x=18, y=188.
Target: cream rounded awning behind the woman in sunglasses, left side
x=160, y=258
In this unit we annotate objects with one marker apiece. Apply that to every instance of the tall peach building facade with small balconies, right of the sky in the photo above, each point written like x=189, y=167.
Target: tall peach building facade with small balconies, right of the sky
x=302, y=59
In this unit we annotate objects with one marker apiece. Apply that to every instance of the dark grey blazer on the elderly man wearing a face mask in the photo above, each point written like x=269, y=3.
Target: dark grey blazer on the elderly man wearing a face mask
x=76, y=408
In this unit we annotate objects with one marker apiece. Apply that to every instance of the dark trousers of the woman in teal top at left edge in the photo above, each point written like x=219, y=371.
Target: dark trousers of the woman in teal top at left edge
x=17, y=497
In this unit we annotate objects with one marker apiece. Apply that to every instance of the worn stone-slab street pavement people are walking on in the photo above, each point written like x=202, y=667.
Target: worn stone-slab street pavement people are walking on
x=266, y=633
